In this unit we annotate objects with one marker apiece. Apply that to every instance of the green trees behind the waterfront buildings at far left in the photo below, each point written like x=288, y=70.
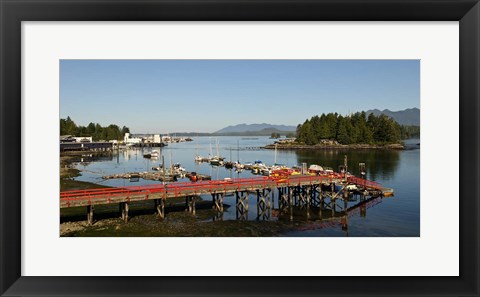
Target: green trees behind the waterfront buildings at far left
x=96, y=131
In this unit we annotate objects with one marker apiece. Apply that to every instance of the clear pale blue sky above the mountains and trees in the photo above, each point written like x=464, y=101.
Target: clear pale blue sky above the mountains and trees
x=164, y=96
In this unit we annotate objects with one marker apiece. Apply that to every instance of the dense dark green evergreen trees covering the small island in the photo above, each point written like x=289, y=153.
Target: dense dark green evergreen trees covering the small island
x=357, y=128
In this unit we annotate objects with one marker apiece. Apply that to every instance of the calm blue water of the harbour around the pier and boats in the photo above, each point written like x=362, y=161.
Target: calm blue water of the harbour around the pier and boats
x=400, y=170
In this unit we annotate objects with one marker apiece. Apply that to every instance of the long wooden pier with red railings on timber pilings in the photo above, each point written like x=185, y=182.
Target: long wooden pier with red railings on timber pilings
x=324, y=193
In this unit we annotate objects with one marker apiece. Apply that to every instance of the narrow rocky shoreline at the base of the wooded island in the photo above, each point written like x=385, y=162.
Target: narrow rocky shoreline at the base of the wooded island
x=395, y=146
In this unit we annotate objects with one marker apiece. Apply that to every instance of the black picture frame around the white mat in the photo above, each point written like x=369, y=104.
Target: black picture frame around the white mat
x=13, y=12
